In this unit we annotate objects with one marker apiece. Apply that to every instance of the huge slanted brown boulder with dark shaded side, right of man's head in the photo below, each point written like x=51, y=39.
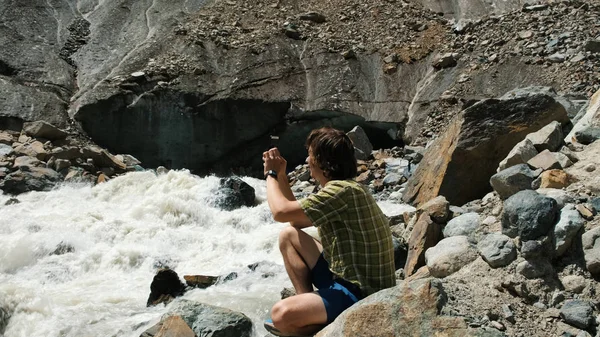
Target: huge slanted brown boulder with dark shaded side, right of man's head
x=476, y=140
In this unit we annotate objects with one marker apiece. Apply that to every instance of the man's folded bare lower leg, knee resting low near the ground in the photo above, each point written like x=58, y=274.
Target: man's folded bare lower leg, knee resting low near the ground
x=303, y=314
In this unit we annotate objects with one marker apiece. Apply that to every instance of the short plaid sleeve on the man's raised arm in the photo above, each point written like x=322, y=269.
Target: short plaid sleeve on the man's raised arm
x=325, y=205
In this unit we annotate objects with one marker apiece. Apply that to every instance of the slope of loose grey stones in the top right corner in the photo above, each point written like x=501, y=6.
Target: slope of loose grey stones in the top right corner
x=561, y=35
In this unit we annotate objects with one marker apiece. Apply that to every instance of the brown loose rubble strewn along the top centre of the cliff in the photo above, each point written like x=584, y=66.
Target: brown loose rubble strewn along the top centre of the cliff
x=341, y=26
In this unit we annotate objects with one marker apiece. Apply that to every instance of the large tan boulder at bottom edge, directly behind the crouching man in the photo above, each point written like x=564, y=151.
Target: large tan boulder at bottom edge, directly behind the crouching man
x=409, y=309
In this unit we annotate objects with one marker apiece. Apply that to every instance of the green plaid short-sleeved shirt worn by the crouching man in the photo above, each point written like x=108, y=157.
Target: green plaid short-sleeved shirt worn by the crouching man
x=355, y=234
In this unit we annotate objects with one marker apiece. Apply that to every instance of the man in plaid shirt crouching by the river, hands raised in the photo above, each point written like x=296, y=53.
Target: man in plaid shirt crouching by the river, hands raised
x=355, y=257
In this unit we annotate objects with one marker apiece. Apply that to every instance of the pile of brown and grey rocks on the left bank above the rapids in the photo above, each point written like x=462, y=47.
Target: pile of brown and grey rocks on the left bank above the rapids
x=40, y=156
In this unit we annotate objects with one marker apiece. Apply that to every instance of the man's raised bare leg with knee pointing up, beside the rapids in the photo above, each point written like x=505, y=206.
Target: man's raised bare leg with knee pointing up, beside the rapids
x=300, y=253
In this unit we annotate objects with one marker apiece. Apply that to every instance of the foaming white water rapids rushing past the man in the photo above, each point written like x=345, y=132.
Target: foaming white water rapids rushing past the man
x=120, y=232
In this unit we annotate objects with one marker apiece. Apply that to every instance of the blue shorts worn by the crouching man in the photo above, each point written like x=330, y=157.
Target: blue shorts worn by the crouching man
x=337, y=294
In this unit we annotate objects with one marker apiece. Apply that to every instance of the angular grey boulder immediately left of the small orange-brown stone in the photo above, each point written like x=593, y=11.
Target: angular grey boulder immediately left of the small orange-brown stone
x=512, y=180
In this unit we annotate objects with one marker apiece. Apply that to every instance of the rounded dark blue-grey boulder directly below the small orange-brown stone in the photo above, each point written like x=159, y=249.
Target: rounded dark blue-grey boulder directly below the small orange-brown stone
x=528, y=214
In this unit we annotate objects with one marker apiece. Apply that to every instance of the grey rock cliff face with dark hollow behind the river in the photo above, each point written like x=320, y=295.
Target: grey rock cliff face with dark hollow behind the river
x=203, y=85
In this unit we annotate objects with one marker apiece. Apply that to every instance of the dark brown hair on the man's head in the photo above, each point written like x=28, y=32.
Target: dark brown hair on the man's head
x=334, y=153
